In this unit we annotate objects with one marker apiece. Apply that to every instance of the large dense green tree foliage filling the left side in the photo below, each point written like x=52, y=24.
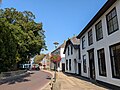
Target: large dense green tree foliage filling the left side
x=20, y=37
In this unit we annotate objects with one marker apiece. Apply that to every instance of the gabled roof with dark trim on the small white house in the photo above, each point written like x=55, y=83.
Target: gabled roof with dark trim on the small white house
x=74, y=42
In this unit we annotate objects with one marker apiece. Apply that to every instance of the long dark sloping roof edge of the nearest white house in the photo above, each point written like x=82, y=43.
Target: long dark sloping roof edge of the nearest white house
x=105, y=7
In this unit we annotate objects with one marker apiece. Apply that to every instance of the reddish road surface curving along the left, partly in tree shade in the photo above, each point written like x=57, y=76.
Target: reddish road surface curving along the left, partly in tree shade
x=35, y=81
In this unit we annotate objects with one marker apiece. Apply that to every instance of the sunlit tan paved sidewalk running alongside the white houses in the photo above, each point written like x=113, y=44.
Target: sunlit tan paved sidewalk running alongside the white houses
x=68, y=82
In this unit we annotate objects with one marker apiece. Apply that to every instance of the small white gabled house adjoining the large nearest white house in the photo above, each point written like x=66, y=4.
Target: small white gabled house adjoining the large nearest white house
x=72, y=56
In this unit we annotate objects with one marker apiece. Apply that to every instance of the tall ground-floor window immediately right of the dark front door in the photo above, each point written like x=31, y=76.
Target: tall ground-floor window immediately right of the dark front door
x=101, y=62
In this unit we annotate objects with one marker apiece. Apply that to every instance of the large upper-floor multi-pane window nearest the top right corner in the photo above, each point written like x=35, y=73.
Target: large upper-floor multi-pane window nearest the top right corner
x=112, y=22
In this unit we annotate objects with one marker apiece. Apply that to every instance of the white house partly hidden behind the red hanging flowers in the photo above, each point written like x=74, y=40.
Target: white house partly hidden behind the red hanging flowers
x=59, y=51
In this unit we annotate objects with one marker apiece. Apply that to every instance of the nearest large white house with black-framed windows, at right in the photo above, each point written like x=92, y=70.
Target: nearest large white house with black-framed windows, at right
x=100, y=45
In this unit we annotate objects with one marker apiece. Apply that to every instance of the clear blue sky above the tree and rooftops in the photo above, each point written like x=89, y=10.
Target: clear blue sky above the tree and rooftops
x=62, y=19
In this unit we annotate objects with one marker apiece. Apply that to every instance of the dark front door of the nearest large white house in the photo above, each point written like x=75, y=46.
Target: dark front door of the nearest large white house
x=91, y=63
